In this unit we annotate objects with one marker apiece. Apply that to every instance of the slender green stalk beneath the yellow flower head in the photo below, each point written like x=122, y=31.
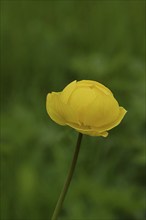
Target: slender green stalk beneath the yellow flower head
x=68, y=179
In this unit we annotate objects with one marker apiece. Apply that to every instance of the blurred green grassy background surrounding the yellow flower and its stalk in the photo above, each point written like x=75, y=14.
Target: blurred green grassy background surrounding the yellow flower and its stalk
x=44, y=46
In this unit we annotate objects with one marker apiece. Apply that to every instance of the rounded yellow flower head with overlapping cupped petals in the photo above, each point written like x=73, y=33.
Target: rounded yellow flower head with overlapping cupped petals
x=87, y=106
